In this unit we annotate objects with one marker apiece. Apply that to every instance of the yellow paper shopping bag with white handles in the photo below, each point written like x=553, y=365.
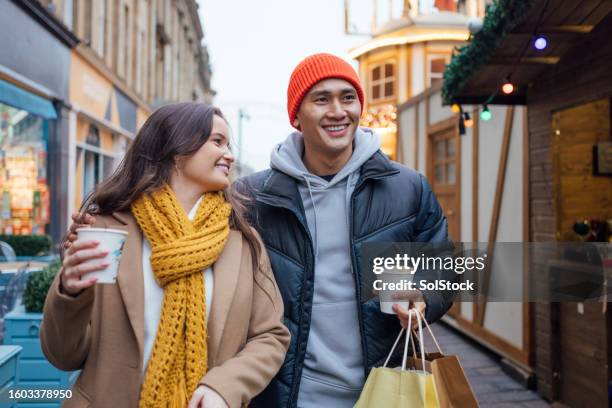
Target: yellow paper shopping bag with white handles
x=395, y=388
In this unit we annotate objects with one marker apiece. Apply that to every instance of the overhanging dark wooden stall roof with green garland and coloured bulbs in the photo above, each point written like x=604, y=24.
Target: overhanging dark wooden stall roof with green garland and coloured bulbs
x=505, y=48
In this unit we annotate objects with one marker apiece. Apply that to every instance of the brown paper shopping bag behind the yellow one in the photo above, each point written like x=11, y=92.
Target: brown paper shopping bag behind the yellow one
x=452, y=386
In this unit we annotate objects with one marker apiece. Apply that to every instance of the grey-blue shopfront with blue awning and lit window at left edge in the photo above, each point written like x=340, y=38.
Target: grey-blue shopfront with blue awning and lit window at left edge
x=34, y=107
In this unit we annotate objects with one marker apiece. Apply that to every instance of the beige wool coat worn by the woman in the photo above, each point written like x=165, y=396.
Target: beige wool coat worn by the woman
x=101, y=331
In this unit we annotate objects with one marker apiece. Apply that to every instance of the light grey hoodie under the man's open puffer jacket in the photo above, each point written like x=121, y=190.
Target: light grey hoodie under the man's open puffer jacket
x=333, y=374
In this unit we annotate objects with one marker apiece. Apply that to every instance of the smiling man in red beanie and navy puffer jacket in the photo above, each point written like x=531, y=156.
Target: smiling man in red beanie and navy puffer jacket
x=329, y=191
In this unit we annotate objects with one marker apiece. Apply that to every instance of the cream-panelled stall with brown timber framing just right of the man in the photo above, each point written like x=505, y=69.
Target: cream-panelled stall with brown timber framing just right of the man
x=479, y=180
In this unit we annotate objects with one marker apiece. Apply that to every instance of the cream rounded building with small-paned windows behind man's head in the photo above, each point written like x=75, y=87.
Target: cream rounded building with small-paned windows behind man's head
x=406, y=55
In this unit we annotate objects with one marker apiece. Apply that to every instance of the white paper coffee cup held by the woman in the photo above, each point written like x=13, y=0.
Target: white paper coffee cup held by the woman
x=111, y=240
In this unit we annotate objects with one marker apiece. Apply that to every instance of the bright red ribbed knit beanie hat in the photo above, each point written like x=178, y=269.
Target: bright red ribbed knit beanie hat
x=314, y=69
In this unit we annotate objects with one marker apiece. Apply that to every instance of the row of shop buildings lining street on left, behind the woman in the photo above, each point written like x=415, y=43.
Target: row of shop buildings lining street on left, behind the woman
x=76, y=82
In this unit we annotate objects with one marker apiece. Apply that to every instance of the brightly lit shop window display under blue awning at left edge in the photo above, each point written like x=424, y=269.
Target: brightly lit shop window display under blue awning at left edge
x=24, y=203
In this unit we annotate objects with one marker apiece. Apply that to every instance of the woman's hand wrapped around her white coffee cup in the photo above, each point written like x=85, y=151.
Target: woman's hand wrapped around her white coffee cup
x=75, y=265
